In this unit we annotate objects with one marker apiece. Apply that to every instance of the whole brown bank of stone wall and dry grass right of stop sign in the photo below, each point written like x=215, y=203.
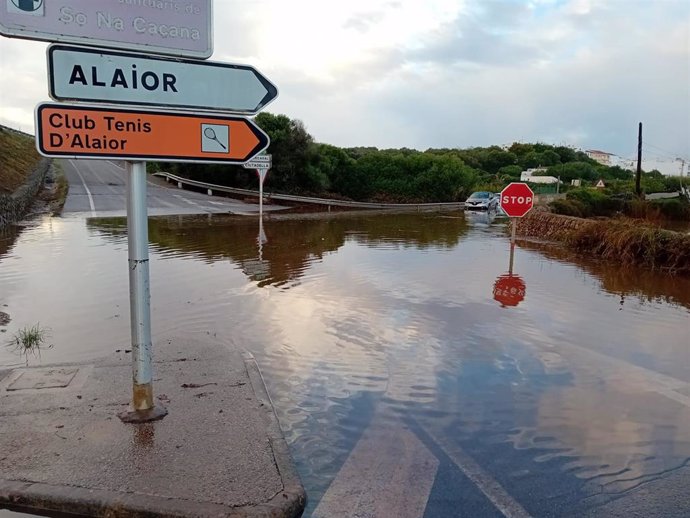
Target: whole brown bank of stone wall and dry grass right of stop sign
x=627, y=241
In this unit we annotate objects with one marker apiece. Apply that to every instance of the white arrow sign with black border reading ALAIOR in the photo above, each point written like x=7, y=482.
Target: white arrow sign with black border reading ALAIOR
x=96, y=75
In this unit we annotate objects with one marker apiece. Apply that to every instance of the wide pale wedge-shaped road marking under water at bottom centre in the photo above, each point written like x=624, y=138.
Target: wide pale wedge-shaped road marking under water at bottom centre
x=389, y=473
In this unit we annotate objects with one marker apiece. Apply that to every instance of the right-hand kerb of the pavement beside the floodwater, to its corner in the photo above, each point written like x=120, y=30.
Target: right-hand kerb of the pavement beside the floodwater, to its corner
x=290, y=502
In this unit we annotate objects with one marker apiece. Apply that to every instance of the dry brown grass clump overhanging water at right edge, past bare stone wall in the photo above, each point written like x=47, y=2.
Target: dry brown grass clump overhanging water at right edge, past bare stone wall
x=633, y=244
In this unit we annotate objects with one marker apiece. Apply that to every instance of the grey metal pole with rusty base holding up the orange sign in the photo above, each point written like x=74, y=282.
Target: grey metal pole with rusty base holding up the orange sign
x=139, y=299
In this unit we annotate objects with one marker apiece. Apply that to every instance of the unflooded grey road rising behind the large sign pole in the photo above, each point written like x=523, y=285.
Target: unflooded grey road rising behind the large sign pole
x=98, y=187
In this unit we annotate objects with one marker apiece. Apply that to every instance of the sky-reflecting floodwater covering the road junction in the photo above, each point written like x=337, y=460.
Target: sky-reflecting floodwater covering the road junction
x=562, y=389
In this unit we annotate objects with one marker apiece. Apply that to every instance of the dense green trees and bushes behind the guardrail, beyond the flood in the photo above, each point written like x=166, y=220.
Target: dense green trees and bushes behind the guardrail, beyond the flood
x=302, y=166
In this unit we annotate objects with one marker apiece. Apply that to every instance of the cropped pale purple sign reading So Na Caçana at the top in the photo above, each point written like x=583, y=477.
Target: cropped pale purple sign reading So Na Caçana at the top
x=174, y=27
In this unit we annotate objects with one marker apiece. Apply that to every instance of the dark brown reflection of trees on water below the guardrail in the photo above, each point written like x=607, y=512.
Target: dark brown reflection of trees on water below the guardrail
x=285, y=247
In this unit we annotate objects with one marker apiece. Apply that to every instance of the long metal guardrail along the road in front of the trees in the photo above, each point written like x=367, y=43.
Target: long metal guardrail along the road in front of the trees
x=181, y=182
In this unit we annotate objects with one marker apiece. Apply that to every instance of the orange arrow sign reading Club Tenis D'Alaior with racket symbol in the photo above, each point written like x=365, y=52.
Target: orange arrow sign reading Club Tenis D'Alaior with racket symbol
x=64, y=130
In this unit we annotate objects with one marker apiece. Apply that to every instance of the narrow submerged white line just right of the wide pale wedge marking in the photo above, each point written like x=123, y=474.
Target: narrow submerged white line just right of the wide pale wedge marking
x=492, y=489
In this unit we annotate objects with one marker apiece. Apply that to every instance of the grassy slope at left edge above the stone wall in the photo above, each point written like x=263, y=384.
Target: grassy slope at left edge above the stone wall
x=18, y=157
